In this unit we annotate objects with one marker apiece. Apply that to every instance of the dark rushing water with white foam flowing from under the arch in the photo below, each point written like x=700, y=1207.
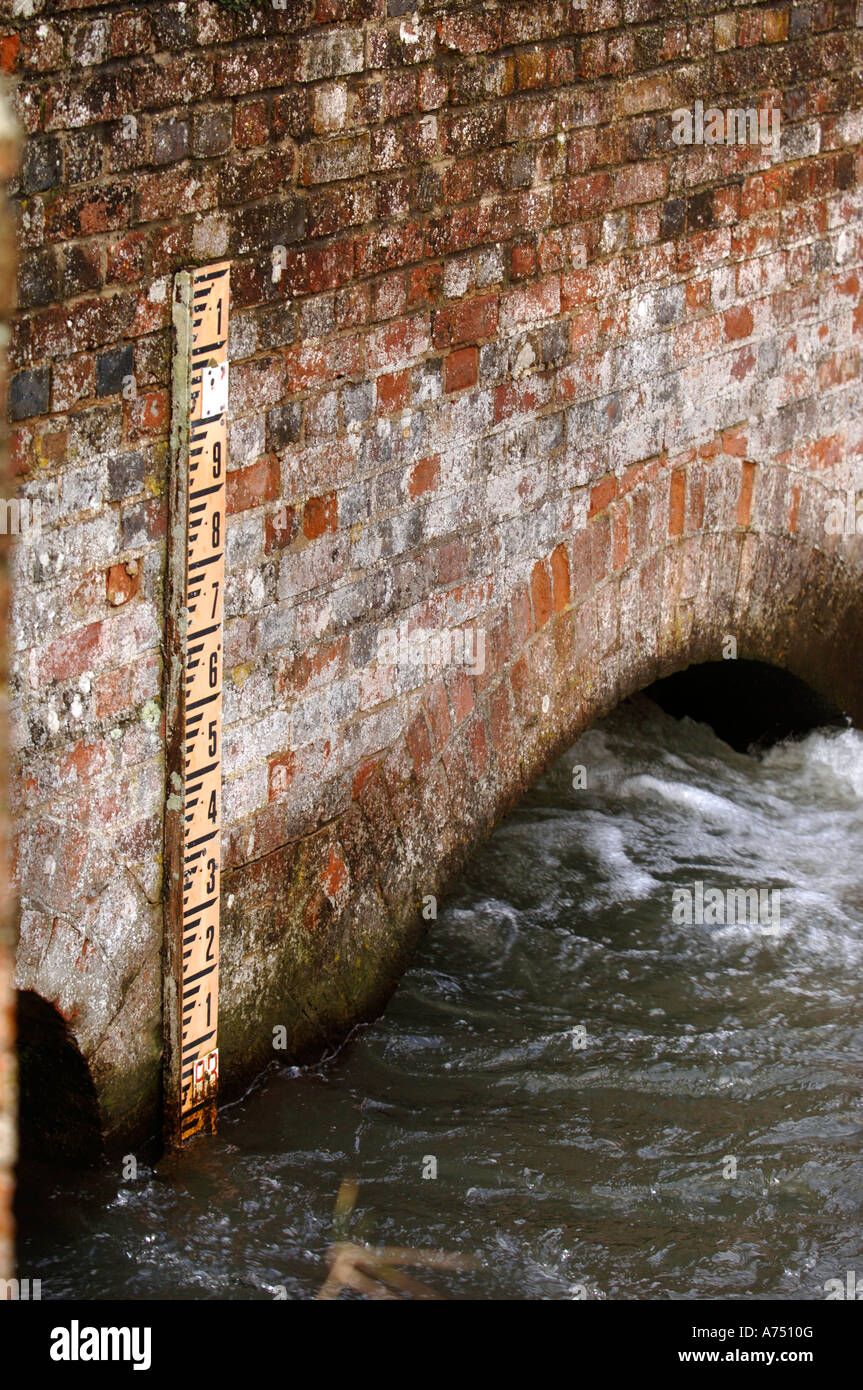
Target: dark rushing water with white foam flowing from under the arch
x=582, y=1068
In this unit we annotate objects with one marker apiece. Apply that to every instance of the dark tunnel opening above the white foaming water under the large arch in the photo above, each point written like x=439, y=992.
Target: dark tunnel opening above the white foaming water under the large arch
x=748, y=704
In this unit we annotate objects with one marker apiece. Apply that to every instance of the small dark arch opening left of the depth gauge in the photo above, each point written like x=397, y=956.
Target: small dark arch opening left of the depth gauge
x=59, y=1118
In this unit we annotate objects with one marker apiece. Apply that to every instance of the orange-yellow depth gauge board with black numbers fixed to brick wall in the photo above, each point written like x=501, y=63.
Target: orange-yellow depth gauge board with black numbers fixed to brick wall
x=205, y=294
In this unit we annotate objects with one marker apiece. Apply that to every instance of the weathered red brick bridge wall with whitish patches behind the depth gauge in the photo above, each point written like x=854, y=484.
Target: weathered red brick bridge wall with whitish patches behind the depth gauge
x=505, y=358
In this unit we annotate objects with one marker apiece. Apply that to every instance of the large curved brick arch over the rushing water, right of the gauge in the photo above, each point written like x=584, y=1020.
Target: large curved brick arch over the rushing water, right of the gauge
x=669, y=564
